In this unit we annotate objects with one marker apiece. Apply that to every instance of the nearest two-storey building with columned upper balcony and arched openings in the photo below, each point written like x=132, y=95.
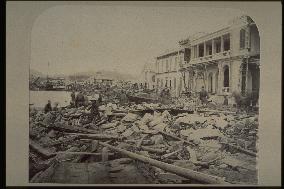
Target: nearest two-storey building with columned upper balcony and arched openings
x=224, y=61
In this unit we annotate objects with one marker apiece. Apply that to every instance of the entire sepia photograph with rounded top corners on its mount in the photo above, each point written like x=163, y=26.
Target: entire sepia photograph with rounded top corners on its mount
x=130, y=94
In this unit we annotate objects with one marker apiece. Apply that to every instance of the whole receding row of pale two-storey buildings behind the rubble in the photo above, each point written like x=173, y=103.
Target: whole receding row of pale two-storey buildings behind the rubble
x=224, y=61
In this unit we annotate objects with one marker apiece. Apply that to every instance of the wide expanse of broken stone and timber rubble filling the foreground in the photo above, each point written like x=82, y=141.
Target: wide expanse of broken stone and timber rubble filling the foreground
x=216, y=143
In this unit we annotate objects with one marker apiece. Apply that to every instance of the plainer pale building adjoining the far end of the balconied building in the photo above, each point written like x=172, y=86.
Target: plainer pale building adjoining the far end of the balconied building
x=167, y=71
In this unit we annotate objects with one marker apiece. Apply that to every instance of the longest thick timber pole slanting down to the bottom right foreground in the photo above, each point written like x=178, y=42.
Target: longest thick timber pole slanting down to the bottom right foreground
x=186, y=173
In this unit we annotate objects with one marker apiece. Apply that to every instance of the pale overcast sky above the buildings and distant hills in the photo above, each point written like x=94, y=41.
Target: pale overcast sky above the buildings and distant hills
x=122, y=38
